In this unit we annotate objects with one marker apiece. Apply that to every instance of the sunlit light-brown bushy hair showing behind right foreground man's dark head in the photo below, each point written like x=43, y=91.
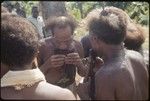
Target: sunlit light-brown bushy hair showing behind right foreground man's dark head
x=135, y=35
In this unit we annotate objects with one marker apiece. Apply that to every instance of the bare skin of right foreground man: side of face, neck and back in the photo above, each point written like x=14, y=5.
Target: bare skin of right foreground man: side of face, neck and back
x=123, y=76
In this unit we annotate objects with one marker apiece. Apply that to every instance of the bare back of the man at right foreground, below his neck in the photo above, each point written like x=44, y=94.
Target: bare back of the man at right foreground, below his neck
x=123, y=79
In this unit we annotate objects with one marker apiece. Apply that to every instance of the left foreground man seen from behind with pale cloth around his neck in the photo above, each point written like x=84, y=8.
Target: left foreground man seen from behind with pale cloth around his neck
x=19, y=47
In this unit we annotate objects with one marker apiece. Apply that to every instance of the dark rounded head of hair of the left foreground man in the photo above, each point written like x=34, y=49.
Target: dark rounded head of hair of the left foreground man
x=19, y=42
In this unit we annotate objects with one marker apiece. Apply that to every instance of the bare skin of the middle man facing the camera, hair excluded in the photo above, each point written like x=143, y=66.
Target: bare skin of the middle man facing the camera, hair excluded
x=50, y=64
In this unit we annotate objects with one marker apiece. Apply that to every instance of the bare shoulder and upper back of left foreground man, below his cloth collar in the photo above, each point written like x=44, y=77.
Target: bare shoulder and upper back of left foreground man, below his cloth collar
x=41, y=90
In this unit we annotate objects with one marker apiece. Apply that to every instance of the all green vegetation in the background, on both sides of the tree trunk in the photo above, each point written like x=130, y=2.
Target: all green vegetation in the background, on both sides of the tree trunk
x=138, y=11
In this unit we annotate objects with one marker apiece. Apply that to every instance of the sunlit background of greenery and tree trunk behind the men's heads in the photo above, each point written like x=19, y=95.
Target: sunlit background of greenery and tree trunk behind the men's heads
x=138, y=11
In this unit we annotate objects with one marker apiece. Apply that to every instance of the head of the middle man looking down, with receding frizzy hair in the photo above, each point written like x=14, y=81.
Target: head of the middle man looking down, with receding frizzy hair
x=62, y=29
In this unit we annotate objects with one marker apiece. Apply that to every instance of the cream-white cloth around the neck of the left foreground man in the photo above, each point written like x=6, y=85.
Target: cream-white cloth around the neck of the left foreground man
x=20, y=79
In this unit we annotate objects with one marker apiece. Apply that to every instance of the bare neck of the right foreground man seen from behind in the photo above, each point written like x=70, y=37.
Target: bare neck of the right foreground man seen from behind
x=113, y=52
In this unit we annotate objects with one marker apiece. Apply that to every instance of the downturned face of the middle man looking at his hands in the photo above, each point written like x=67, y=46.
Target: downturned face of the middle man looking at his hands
x=63, y=37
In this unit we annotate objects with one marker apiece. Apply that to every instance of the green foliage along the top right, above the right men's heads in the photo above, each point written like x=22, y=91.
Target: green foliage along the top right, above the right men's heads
x=139, y=11
